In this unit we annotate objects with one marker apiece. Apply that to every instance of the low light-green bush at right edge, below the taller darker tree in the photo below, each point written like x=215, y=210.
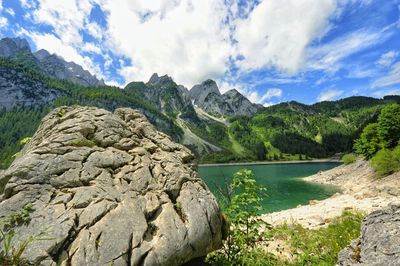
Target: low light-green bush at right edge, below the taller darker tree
x=386, y=162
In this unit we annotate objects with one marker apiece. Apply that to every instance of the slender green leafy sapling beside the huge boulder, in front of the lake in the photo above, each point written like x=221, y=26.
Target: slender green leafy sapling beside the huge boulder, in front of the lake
x=242, y=206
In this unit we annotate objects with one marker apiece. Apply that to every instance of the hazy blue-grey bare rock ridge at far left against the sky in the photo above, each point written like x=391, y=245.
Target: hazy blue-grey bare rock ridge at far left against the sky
x=18, y=50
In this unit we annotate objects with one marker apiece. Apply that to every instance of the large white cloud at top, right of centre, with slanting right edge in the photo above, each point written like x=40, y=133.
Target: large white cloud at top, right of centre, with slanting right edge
x=277, y=33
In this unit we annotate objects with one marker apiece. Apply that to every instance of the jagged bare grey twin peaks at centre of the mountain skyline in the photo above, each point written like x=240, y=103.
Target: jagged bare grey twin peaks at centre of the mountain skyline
x=207, y=97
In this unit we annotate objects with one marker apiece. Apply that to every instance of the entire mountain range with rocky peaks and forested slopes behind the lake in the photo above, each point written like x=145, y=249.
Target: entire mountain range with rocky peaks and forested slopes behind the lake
x=216, y=127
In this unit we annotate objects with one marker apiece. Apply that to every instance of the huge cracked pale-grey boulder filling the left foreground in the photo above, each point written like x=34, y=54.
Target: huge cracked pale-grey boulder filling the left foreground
x=107, y=188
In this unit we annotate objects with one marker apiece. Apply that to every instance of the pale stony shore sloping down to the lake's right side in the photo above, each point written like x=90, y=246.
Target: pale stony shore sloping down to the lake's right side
x=360, y=190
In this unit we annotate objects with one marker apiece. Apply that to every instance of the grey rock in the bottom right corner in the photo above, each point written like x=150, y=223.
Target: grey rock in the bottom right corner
x=379, y=243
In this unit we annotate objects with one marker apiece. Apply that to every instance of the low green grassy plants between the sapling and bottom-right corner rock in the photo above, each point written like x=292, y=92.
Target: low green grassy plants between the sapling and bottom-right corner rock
x=320, y=246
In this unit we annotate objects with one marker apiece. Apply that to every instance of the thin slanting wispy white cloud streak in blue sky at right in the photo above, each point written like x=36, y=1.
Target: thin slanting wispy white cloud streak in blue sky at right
x=328, y=56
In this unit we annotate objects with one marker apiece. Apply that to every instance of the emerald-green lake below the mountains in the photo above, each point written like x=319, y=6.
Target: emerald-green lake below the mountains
x=285, y=188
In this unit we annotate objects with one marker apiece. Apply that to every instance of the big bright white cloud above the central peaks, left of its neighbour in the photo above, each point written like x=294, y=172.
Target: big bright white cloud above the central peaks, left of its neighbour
x=184, y=39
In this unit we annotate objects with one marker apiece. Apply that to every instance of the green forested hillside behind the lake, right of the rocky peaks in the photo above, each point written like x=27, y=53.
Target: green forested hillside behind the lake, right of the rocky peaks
x=296, y=131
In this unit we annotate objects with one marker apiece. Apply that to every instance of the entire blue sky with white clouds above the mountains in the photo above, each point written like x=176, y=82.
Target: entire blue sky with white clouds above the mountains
x=270, y=50
